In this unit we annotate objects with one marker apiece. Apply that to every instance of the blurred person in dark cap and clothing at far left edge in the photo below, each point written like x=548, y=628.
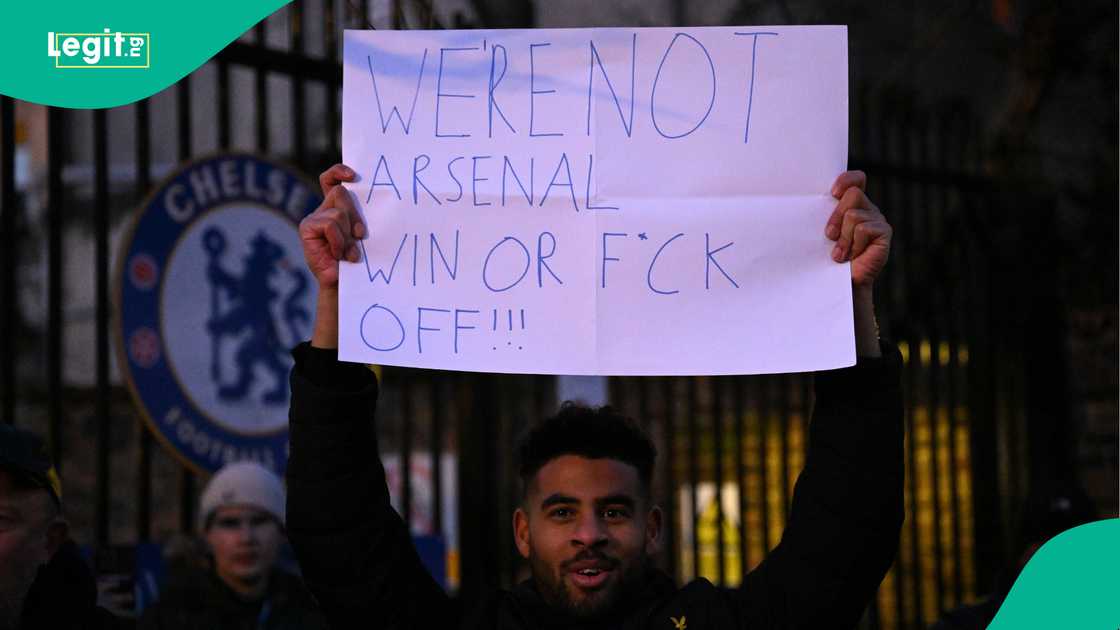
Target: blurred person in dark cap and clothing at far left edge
x=44, y=580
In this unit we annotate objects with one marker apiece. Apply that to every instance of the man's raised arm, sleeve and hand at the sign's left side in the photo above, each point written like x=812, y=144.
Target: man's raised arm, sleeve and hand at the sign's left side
x=356, y=552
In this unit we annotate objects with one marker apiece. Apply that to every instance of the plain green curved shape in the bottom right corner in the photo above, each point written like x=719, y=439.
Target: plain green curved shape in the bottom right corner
x=1074, y=581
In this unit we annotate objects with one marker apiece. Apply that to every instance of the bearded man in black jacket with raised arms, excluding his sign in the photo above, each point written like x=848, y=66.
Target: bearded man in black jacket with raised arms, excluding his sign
x=587, y=524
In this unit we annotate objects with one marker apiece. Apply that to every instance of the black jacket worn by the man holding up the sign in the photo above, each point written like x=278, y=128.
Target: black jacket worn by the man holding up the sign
x=359, y=561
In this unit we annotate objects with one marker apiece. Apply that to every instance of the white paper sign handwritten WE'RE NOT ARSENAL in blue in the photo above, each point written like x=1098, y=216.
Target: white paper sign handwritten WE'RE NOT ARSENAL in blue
x=598, y=201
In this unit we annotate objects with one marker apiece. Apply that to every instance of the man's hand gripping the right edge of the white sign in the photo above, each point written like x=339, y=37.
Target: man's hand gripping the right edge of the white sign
x=862, y=234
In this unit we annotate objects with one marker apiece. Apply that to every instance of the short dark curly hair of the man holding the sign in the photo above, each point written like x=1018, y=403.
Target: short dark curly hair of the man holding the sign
x=595, y=433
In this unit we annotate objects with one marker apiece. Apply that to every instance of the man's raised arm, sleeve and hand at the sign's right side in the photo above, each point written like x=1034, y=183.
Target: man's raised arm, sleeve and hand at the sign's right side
x=847, y=509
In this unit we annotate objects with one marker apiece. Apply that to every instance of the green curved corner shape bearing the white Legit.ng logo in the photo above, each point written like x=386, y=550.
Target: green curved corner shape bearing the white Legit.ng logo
x=88, y=55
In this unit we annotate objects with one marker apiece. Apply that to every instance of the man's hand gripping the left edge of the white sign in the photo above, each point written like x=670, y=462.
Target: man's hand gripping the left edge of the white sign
x=330, y=234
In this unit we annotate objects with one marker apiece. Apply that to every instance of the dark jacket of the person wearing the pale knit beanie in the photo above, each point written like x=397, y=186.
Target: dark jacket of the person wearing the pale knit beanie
x=201, y=601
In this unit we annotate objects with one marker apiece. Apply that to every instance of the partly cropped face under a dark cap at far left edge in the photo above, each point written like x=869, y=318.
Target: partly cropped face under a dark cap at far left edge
x=26, y=516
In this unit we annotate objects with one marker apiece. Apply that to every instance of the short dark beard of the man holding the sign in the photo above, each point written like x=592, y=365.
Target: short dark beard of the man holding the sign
x=558, y=592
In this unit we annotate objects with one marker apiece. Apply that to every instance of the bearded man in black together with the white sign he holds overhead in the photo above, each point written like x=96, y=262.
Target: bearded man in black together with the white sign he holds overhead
x=596, y=202
